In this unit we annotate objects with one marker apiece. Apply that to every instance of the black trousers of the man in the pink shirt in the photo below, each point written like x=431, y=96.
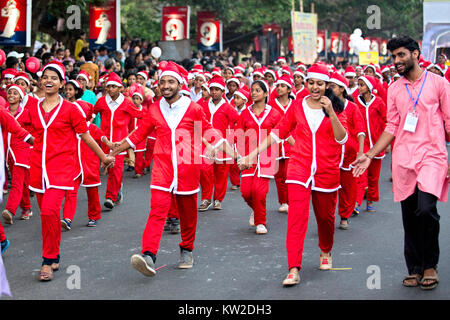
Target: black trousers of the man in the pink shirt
x=421, y=227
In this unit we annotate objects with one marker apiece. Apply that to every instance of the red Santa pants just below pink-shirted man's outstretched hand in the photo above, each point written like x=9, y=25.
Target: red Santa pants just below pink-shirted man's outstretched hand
x=369, y=179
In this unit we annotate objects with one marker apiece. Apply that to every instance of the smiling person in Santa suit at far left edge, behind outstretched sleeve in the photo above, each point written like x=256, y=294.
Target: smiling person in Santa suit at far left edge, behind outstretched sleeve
x=17, y=157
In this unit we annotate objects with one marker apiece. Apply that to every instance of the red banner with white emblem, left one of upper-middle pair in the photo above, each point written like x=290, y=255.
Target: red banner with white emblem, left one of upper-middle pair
x=175, y=23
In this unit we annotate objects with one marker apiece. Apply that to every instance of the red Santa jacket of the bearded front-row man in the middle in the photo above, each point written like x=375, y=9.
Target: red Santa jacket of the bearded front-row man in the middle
x=179, y=129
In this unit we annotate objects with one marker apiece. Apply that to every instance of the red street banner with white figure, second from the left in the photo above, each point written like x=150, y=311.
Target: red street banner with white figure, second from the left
x=104, y=26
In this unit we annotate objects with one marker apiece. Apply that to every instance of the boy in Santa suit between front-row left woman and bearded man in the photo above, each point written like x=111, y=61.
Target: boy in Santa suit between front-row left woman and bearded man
x=117, y=112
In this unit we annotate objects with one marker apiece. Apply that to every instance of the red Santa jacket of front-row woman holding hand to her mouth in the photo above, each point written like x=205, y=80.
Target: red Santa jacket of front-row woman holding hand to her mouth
x=315, y=157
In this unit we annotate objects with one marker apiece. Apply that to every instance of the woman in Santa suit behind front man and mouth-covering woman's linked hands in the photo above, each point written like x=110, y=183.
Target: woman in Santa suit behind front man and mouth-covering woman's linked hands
x=254, y=125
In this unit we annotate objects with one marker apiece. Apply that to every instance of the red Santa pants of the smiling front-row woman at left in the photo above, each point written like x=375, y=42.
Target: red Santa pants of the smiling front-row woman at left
x=50, y=203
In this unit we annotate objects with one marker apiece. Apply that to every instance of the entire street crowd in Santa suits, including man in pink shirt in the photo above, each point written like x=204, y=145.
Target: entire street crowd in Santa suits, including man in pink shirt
x=320, y=132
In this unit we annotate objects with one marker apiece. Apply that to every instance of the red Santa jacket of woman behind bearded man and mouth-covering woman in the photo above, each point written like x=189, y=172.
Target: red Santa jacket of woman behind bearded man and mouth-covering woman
x=250, y=131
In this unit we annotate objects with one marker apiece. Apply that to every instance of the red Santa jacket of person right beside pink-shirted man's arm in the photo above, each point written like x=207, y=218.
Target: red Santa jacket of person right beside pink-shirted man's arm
x=374, y=115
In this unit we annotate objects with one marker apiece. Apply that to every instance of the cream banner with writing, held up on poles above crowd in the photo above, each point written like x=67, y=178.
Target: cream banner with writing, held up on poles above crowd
x=304, y=33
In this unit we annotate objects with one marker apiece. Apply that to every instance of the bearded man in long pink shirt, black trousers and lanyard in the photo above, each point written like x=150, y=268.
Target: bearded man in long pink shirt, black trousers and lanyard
x=418, y=118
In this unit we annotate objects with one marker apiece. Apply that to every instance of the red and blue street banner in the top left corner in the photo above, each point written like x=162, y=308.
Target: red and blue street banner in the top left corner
x=15, y=23
